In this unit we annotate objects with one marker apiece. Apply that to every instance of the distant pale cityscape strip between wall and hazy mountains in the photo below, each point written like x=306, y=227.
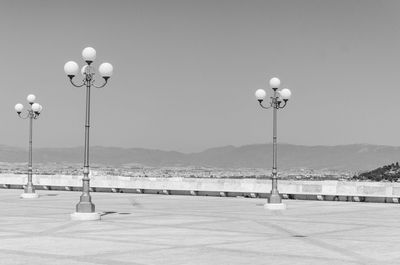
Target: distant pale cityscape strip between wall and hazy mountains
x=168, y=172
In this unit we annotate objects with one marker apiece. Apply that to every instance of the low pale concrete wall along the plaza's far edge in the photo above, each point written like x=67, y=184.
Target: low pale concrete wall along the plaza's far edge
x=194, y=185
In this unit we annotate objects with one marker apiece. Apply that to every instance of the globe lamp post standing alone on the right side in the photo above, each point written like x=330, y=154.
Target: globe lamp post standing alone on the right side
x=278, y=101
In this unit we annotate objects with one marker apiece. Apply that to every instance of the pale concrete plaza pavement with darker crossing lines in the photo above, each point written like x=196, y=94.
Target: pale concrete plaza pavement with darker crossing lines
x=162, y=229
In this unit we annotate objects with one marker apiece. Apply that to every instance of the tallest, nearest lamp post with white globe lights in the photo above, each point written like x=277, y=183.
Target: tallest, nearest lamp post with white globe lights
x=85, y=209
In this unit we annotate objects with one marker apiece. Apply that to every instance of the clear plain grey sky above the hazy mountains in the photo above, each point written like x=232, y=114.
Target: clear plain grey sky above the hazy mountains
x=185, y=72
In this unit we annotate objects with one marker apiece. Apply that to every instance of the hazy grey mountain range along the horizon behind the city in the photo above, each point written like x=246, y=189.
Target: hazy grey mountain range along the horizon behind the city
x=351, y=157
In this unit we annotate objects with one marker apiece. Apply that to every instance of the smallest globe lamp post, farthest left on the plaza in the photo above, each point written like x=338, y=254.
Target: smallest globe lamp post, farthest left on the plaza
x=32, y=114
